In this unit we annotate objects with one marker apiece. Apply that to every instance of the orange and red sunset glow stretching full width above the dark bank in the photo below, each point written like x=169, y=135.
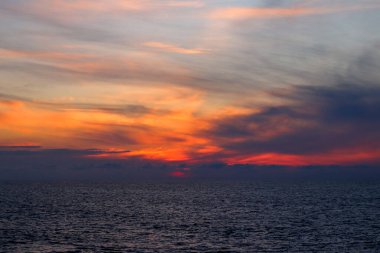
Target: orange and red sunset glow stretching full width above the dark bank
x=171, y=137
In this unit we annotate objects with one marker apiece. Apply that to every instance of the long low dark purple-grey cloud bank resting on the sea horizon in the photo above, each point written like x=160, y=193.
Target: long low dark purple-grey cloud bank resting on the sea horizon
x=37, y=164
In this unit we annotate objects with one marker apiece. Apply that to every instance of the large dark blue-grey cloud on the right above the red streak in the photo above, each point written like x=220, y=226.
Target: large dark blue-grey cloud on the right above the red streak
x=319, y=120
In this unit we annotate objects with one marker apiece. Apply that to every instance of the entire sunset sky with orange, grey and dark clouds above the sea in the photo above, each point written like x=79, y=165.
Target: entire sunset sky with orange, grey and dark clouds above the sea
x=180, y=88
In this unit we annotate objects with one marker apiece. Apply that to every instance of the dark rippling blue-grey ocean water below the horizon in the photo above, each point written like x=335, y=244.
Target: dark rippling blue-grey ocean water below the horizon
x=190, y=217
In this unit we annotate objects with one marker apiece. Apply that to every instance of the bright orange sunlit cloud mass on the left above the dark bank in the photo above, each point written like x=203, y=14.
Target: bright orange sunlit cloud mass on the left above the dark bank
x=157, y=133
